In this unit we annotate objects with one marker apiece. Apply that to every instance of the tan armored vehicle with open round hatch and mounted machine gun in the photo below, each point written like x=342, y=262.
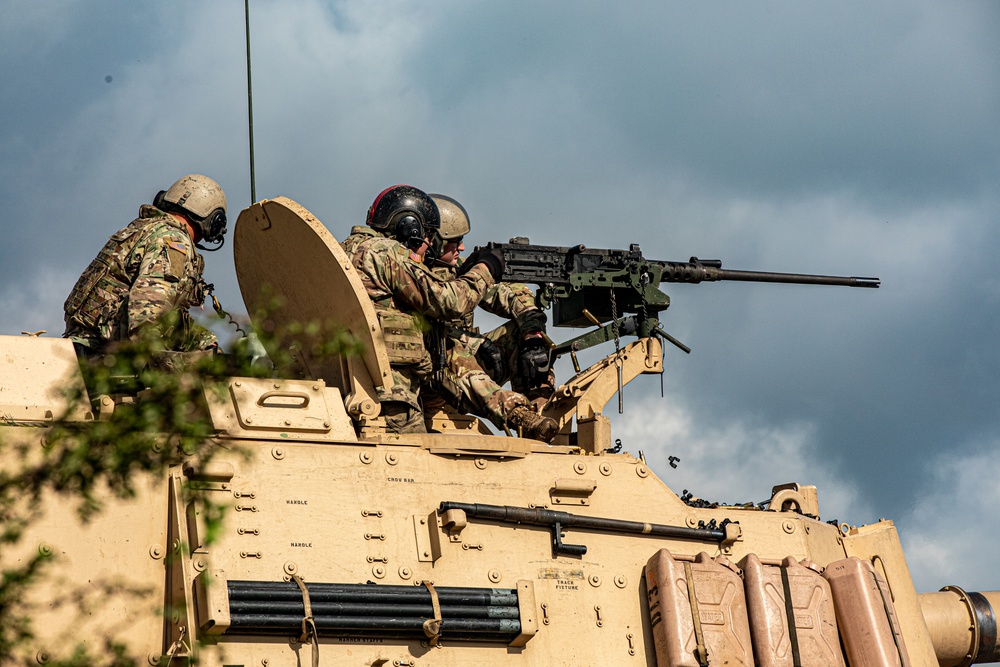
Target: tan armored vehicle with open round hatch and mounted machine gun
x=342, y=544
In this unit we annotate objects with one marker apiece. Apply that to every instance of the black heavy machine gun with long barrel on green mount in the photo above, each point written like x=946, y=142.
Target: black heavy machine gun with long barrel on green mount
x=591, y=286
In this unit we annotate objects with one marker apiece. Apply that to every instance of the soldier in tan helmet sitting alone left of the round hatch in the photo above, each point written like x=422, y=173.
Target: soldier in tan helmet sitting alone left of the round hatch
x=148, y=274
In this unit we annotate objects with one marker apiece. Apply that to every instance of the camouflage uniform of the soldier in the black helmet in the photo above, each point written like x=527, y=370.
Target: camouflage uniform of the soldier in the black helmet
x=405, y=293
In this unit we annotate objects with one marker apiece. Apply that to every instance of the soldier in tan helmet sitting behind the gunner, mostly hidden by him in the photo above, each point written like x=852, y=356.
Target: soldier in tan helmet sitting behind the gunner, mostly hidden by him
x=475, y=366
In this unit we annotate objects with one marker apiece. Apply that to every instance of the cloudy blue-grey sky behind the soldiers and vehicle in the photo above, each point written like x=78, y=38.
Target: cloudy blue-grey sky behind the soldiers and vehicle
x=850, y=138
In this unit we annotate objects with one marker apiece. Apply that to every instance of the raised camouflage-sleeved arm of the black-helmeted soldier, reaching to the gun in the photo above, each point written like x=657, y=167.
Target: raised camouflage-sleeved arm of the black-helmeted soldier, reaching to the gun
x=416, y=286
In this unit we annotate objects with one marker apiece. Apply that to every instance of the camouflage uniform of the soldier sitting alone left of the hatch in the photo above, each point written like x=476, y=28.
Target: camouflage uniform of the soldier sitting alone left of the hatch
x=144, y=279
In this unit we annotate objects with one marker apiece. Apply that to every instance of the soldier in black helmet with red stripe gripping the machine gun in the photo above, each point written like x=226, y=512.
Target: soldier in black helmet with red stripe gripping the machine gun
x=389, y=253
